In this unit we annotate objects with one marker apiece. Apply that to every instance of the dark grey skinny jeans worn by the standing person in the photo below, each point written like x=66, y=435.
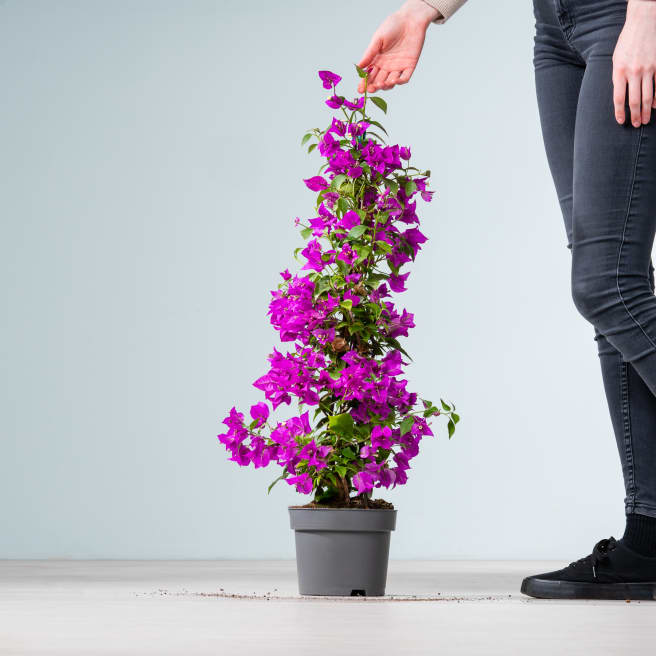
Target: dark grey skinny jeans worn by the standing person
x=605, y=177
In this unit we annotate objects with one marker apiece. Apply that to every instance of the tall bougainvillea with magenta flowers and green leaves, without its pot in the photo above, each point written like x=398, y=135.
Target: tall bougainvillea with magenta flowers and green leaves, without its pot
x=358, y=426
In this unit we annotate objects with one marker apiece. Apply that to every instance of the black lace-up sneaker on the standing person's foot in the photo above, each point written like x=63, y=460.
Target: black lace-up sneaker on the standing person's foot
x=611, y=571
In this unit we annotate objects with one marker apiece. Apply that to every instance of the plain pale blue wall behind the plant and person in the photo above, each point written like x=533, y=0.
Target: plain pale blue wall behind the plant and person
x=150, y=171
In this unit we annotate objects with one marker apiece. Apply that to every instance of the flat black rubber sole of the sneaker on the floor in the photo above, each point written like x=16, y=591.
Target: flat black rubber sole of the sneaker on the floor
x=548, y=589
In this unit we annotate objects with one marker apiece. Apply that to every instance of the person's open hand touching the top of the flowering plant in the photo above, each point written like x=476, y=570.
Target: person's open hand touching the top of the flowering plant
x=395, y=47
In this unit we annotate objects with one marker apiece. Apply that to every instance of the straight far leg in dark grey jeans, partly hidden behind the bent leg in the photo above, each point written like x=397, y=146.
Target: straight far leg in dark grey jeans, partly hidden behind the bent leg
x=558, y=77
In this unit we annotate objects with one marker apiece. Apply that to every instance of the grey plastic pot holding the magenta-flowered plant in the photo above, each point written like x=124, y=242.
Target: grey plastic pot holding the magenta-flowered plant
x=342, y=551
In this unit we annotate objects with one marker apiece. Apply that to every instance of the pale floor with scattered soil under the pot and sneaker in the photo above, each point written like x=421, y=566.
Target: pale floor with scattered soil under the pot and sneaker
x=252, y=607
